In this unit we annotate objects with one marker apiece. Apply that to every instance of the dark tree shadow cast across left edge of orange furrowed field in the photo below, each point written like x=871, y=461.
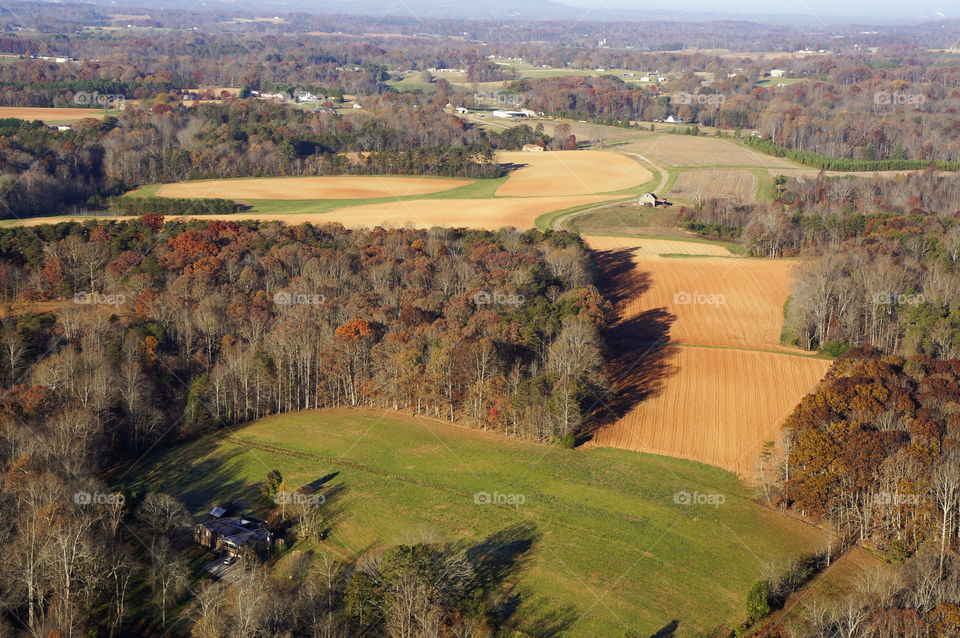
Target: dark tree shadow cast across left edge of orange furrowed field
x=641, y=358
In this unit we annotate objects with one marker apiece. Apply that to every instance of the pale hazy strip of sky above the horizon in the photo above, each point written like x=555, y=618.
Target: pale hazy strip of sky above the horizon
x=867, y=10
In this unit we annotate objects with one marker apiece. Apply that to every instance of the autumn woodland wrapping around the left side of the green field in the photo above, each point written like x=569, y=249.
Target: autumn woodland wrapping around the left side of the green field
x=154, y=331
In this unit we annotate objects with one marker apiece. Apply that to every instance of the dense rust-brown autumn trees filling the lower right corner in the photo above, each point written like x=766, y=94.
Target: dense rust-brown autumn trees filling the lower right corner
x=874, y=452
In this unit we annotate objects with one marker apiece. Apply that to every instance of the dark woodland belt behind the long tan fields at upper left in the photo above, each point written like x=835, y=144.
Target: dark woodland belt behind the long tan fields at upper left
x=43, y=171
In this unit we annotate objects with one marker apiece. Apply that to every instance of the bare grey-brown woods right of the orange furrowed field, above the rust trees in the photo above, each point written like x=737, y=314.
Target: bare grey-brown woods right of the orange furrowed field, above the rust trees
x=881, y=258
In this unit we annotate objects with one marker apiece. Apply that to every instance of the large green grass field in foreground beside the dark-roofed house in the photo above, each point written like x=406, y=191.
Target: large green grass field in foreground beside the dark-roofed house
x=610, y=549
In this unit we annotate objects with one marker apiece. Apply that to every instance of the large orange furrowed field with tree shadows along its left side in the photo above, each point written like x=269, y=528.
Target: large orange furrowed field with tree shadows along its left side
x=701, y=373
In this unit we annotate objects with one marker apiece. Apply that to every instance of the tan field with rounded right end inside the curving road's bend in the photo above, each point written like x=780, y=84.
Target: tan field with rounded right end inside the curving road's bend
x=570, y=173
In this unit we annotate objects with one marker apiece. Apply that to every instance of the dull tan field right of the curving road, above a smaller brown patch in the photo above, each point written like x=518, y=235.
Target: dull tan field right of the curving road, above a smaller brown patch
x=688, y=150
